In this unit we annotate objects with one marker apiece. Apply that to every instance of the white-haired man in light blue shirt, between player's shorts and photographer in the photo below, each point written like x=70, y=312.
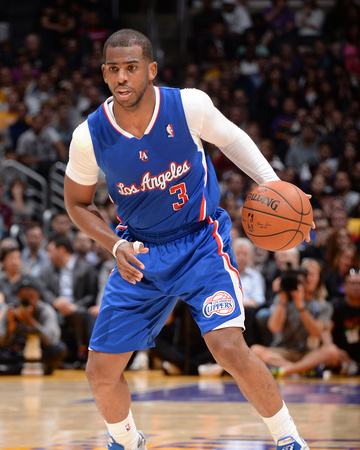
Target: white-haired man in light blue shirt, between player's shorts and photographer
x=253, y=285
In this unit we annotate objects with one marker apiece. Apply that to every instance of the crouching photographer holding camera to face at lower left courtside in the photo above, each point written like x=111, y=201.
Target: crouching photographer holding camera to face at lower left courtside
x=29, y=315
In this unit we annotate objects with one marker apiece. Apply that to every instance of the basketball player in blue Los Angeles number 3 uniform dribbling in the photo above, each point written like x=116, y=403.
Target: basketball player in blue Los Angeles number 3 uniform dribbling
x=173, y=240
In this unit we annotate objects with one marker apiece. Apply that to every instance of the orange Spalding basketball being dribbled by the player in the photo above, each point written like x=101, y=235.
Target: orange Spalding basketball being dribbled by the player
x=277, y=216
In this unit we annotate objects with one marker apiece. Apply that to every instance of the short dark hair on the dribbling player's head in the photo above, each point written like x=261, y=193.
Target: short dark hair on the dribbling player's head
x=128, y=38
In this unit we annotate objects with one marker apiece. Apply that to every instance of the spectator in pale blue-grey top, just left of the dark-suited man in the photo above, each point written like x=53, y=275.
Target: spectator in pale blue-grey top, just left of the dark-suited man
x=34, y=254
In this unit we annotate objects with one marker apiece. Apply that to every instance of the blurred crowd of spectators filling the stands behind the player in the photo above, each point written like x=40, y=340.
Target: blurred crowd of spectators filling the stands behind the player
x=290, y=78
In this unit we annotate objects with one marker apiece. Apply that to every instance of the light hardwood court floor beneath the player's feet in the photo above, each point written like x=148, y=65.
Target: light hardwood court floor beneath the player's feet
x=57, y=412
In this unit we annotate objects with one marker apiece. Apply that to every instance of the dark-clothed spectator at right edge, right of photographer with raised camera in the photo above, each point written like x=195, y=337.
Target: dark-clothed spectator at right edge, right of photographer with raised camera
x=345, y=259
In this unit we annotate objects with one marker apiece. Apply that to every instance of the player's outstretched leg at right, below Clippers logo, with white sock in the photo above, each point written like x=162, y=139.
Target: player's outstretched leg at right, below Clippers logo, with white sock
x=256, y=383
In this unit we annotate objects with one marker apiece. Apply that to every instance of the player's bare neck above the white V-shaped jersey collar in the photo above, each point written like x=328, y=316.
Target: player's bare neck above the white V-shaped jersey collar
x=136, y=120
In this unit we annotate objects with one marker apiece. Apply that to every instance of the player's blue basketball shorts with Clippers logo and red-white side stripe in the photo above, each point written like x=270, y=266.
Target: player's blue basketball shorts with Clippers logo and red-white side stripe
x=199, y=268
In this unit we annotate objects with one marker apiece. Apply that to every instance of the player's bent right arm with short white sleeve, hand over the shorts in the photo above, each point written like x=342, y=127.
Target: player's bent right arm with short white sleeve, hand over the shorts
x=79, y=191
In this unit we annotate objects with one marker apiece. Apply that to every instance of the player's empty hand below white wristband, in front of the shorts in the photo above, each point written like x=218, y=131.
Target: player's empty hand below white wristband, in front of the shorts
x=125, y=254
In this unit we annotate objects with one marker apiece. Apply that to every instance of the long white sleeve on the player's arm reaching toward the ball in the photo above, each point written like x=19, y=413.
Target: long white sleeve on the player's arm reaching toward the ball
x=207, y=123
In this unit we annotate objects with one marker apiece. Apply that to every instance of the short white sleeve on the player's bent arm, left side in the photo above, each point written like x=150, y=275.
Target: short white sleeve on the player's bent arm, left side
x=82, y=166
